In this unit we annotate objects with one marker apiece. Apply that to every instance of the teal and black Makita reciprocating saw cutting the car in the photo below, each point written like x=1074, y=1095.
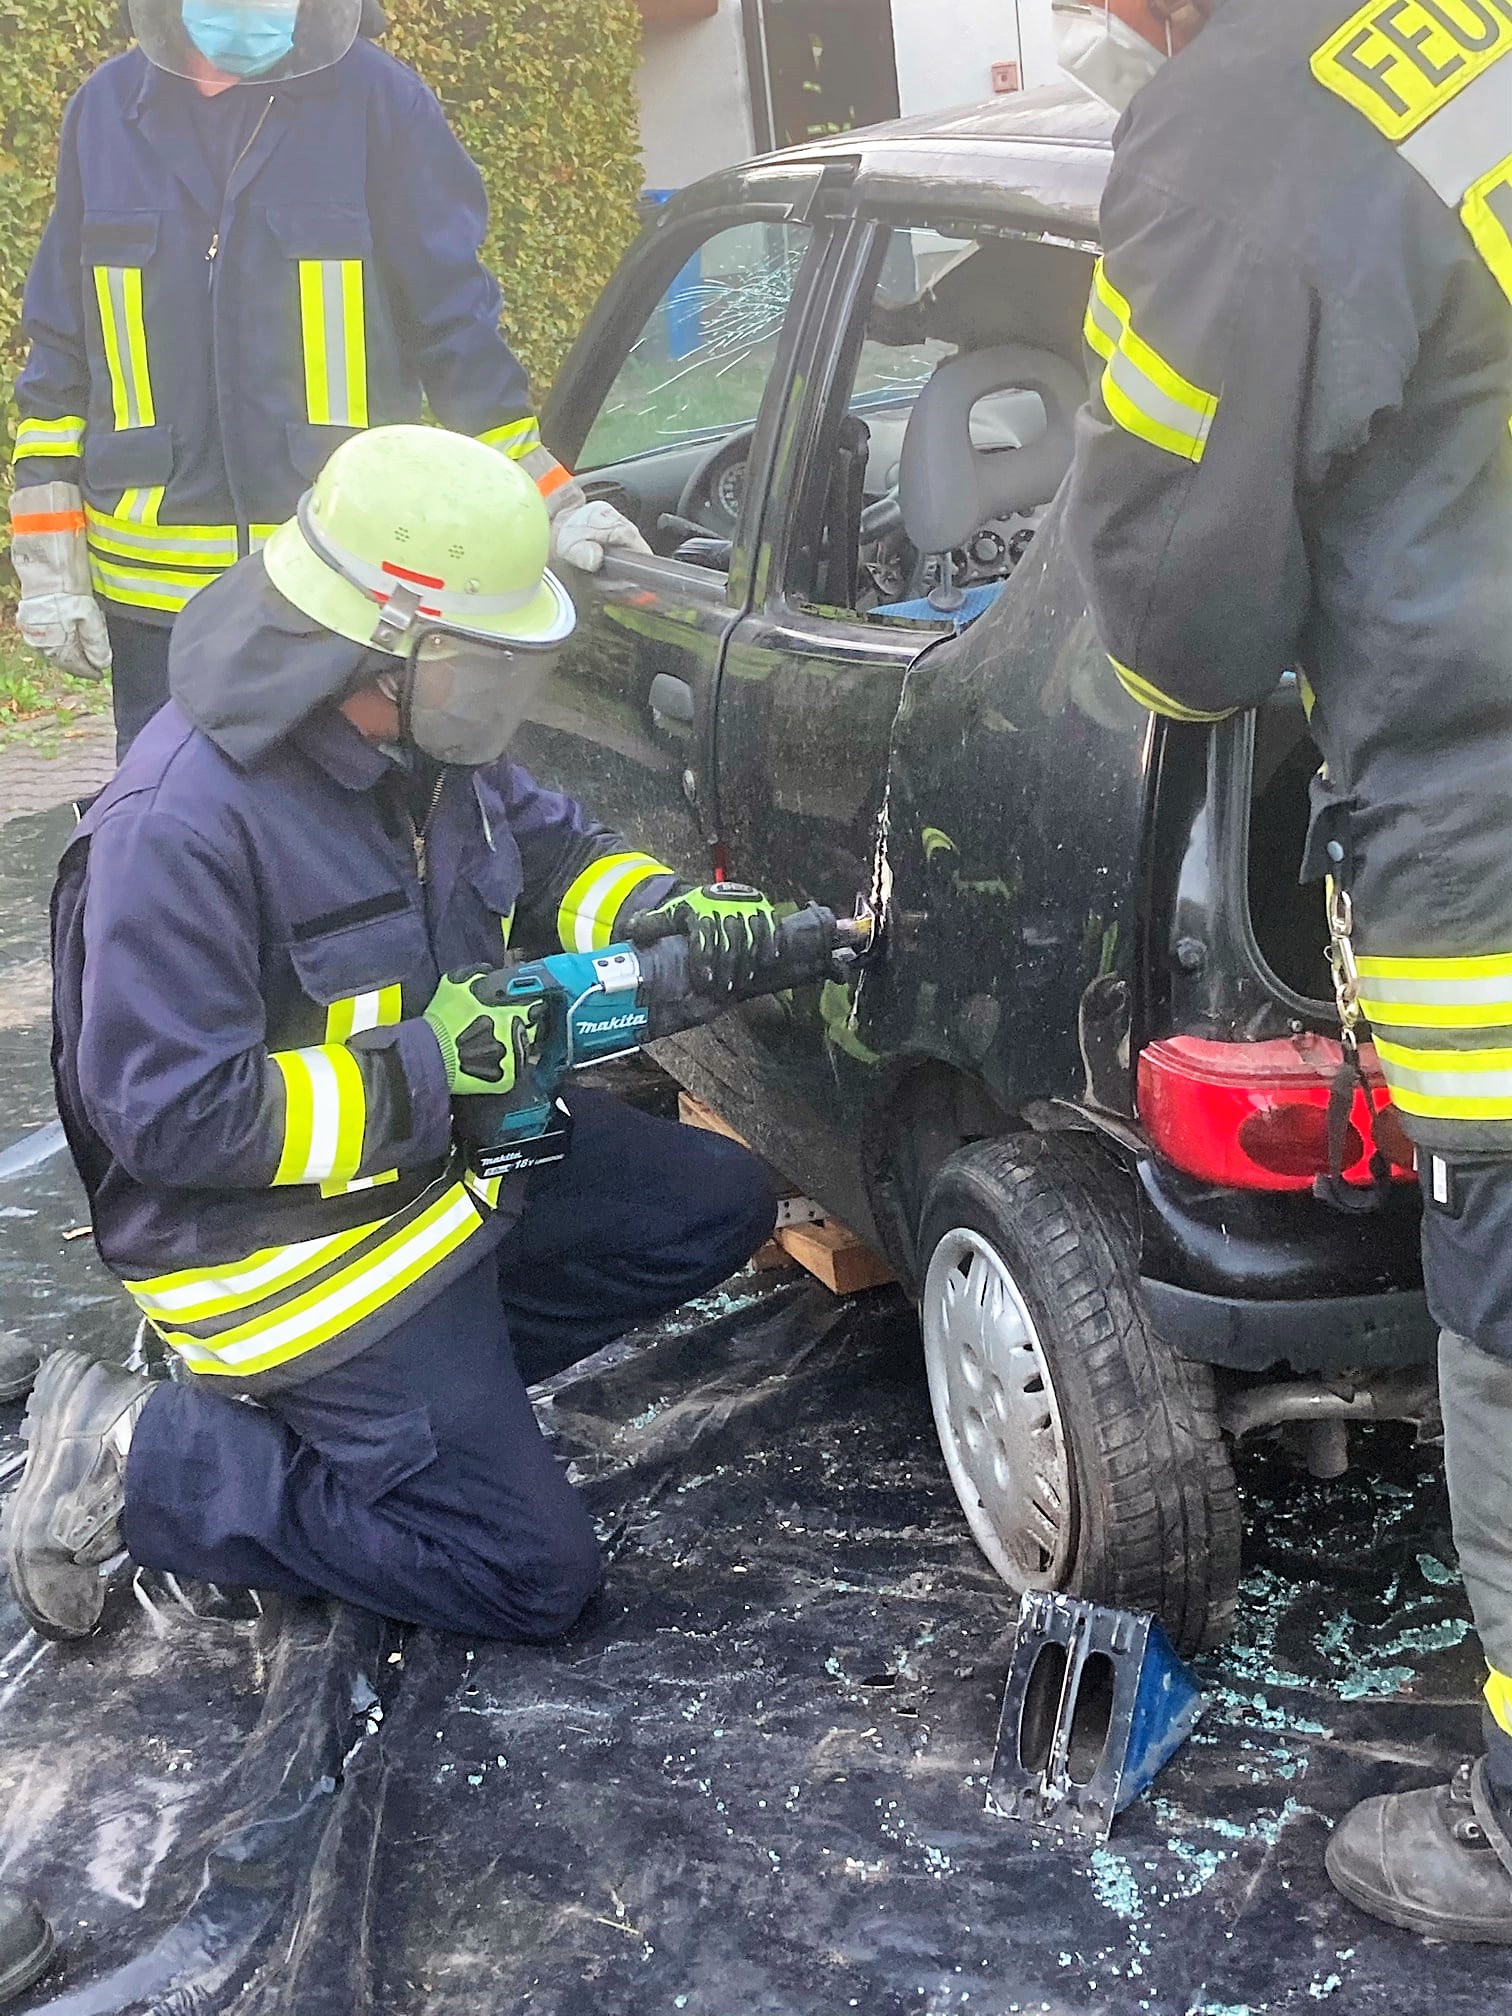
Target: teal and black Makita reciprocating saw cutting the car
x=600, y=1005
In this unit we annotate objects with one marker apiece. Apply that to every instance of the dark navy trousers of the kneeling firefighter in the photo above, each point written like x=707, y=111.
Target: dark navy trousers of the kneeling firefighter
x=412, y=1481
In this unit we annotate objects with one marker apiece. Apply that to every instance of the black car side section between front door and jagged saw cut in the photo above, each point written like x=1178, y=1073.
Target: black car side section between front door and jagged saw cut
x=807, y=707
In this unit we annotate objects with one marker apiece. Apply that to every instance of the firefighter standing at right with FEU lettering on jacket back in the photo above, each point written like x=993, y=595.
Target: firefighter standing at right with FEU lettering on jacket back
x=1297, y=455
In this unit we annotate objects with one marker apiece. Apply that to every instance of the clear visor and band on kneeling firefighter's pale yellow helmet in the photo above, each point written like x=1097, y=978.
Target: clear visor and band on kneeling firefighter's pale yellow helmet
x=463, y=692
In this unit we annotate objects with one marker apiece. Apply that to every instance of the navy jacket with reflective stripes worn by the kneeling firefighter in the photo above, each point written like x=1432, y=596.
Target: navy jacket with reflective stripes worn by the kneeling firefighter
x=243, y=957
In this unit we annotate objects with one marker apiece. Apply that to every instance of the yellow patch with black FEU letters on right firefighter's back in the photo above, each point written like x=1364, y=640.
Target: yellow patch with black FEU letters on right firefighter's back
x=1402, y=61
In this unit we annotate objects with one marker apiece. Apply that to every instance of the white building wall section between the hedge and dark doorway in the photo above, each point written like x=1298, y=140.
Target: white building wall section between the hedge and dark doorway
x=695, y=100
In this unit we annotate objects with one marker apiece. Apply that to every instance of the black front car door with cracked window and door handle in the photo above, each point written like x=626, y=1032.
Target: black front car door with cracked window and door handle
x=680, y=374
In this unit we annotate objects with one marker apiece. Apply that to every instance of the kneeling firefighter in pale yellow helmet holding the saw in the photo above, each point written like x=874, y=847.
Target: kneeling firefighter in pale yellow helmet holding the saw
x=257, y=1061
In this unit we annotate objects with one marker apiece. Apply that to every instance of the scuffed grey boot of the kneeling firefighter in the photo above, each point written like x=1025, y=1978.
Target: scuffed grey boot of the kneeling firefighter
x=66, y=1519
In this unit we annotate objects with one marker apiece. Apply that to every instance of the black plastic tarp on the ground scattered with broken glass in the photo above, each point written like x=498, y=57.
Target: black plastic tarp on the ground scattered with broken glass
x=753, y=1779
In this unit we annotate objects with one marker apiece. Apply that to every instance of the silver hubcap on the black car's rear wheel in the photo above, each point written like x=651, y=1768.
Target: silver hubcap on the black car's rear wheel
x=997, y=1412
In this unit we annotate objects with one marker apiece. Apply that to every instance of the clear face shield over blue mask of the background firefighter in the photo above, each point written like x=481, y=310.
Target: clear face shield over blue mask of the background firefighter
x=245, y=39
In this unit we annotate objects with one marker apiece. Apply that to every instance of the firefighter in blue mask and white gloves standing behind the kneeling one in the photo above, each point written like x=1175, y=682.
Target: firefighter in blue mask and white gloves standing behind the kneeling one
x=265, y=237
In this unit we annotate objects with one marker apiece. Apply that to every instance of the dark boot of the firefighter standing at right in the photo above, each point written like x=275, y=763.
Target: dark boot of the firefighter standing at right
x=1436, y=1862
